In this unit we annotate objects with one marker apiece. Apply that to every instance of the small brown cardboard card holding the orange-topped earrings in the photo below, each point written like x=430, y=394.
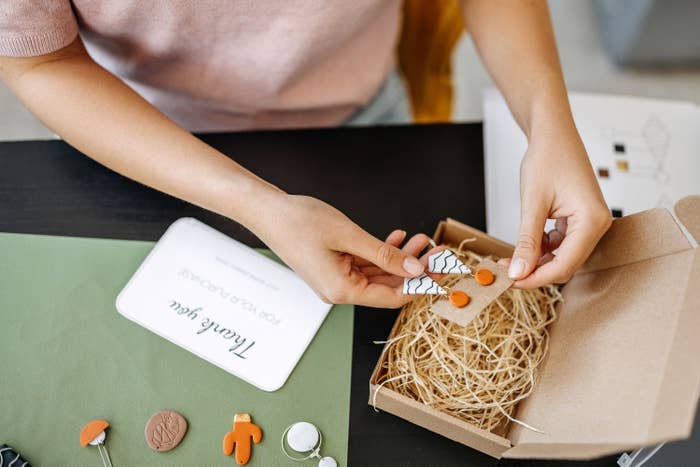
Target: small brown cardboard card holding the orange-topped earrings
x=480, y=295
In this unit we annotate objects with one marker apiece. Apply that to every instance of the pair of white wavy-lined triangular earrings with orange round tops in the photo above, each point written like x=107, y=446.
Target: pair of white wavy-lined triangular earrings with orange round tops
x=446, y=262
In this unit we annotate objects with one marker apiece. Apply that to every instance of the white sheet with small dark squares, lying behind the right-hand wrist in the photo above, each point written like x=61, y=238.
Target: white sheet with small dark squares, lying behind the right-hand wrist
x=645, y=153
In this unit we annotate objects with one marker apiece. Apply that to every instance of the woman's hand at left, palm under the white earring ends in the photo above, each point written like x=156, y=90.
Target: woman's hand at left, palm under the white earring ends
x=339, y=260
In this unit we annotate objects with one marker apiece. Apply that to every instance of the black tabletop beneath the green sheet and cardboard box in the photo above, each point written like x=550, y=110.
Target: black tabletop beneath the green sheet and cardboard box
x=407, y=177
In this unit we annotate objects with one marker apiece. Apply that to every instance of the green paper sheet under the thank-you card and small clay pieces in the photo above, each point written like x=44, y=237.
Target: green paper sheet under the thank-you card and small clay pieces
x=69, y=357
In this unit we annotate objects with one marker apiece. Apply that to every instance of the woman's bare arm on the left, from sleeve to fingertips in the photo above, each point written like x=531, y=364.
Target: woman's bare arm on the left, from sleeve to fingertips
x=102, y=117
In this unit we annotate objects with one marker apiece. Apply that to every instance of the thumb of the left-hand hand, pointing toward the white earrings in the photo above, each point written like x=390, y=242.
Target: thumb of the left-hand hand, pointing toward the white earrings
x=386, y=256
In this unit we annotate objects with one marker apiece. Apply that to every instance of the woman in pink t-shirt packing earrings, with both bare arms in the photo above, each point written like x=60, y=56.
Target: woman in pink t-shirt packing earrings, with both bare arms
x=158, y=69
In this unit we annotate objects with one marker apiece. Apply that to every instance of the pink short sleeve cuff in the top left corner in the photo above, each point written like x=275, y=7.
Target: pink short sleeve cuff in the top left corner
x=35, y=27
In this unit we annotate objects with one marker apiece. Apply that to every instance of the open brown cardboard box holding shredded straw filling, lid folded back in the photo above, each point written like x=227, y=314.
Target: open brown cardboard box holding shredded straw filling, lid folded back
x=622, y=370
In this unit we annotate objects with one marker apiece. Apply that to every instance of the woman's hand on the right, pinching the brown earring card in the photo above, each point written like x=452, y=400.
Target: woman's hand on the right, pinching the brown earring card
x=556, y=182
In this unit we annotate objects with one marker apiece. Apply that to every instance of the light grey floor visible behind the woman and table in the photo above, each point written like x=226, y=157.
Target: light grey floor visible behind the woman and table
x=586, y=67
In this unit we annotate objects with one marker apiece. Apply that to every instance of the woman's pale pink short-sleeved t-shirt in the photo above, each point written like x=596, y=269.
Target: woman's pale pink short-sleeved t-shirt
x=224, y=64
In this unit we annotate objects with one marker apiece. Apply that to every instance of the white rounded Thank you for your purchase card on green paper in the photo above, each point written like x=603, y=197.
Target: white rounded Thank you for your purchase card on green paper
x=224, y=302
